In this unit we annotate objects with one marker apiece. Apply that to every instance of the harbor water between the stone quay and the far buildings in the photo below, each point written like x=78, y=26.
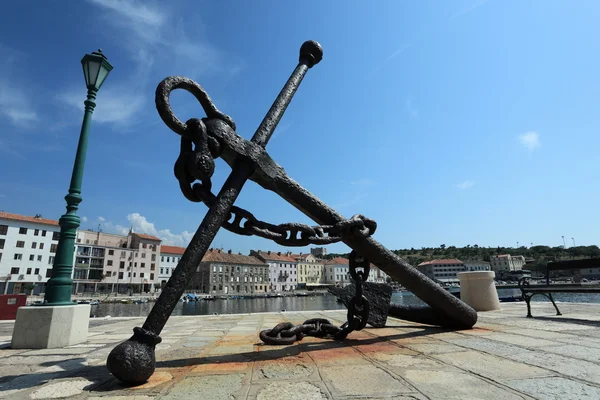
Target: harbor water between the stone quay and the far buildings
x=276, y=304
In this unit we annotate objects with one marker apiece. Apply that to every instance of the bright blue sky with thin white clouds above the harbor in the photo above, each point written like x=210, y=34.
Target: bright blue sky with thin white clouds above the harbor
x=458, y=122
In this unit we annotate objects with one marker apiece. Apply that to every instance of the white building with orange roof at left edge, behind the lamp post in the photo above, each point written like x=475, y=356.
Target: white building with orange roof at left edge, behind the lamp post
x=27, y=249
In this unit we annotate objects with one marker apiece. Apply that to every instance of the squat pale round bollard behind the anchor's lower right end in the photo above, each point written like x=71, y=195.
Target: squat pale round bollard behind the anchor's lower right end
x=478, y=290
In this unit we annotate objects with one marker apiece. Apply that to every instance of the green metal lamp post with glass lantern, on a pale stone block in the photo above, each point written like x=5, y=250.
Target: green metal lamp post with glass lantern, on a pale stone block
x=60, y=286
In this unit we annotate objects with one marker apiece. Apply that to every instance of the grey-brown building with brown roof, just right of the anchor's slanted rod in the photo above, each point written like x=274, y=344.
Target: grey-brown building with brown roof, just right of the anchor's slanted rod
x=223, y=272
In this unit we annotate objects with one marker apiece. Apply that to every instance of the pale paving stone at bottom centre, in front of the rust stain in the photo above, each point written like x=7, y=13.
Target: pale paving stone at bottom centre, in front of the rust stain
x=362, y=380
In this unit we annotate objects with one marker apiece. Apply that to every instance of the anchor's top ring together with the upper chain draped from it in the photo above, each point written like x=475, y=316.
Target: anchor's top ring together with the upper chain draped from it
x=198, y=150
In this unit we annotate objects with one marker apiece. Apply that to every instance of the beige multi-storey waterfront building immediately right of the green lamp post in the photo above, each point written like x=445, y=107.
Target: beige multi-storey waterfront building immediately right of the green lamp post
x=120, y=263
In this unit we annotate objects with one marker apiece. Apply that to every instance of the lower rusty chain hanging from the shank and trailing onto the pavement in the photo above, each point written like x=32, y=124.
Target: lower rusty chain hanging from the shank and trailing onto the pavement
x=358, y=313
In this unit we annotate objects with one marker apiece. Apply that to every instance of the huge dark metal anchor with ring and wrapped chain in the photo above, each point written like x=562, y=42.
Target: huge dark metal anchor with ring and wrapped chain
x=133, y=361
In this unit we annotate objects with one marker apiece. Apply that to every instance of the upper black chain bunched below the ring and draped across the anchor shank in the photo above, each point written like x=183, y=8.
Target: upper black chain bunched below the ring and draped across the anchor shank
x=196, y=162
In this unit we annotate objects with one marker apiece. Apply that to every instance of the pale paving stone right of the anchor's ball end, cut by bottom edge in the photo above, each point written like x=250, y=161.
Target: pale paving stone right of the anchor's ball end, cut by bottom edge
x=212, y=387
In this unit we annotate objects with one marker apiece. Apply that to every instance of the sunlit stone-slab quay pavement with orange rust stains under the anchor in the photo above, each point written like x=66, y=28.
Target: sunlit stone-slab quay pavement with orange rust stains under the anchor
x=506, y=356
